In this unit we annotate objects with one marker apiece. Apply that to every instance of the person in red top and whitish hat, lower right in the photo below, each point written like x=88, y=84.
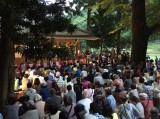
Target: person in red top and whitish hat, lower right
x=147, y=104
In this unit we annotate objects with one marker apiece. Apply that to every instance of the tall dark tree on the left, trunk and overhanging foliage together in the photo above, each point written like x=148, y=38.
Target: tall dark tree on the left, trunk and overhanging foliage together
x=19, y=16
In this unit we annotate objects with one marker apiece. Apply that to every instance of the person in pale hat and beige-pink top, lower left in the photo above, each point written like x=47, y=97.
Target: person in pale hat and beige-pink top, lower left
x=39, y=104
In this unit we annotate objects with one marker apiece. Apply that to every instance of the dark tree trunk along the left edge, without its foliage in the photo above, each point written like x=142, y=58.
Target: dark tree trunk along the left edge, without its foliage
x=6, y=60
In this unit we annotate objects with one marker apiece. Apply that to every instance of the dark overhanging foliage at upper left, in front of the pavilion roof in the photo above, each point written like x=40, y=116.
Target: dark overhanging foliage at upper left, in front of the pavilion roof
x=31, y=22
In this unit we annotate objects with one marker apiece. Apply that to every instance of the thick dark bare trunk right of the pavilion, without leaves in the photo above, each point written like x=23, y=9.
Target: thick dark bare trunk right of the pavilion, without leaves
x=139, y=30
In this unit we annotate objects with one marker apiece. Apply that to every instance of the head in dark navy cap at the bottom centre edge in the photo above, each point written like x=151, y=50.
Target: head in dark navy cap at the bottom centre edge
x=80, y=111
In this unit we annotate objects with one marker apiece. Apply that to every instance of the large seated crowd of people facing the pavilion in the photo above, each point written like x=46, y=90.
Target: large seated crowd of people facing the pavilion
x=116, y=90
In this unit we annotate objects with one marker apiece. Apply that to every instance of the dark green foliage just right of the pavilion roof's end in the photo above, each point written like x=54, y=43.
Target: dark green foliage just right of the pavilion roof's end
x=100, y=26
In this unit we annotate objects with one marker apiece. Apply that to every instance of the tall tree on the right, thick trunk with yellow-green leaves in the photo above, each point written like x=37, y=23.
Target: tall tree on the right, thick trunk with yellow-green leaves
x=145, y=22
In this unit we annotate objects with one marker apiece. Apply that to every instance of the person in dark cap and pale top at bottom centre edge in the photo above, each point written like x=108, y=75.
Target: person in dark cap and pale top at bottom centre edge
x=81, y=113
